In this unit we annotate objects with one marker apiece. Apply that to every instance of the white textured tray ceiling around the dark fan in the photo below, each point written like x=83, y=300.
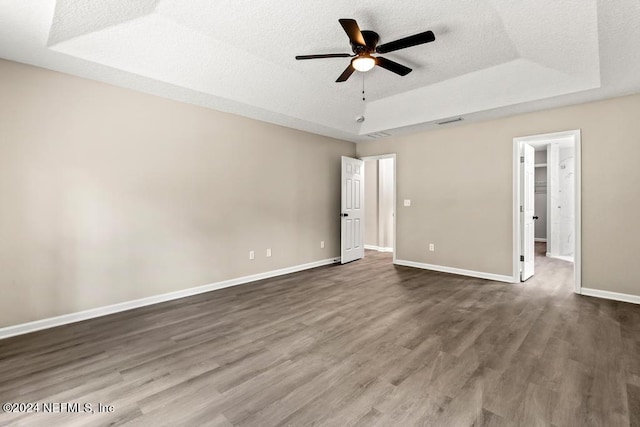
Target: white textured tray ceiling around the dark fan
x=491, y=58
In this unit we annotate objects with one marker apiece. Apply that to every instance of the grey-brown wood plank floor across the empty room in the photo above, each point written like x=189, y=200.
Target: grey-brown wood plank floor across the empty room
x=364, y=344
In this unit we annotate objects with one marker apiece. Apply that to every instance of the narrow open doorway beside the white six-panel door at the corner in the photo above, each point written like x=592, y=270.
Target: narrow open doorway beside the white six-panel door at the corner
x=380, y=203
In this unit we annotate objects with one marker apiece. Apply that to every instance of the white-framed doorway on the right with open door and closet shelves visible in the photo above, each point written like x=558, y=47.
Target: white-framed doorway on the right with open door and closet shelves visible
x=546, y=187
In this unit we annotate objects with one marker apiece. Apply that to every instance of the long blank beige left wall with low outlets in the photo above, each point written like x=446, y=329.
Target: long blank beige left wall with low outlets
x=109, y=195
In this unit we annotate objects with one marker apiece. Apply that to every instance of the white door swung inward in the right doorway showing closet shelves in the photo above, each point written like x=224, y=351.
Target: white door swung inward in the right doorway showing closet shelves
x=527, y=212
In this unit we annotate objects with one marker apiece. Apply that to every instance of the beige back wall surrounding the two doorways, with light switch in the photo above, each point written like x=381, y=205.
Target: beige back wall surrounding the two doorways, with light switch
x=459, y=180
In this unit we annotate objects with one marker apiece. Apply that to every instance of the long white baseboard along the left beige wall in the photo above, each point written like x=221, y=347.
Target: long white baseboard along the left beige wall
x=37, y=325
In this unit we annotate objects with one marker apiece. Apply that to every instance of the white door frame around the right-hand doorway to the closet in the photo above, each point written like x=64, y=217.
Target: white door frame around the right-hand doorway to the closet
x=577, y=140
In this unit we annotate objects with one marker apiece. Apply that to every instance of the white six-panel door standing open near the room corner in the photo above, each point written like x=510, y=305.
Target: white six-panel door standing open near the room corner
x=352, y=214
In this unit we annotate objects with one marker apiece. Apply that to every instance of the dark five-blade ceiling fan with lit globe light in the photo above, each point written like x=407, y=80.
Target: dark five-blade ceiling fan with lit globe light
x=365, y=43
